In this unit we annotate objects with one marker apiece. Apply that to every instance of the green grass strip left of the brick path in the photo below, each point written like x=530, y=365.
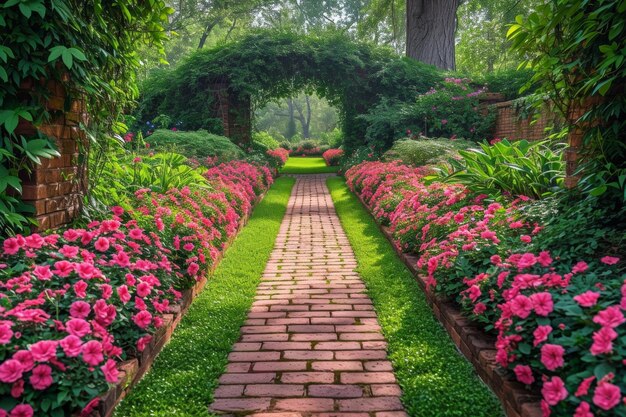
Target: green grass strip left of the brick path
x=184, y=375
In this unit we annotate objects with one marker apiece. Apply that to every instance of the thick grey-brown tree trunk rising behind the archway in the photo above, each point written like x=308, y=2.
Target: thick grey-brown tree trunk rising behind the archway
x=430, y=28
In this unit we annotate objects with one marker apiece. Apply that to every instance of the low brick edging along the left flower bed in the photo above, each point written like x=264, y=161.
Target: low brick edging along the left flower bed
x=132, y=370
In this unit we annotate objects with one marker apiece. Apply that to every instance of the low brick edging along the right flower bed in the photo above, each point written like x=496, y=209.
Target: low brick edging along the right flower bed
x=476, y=345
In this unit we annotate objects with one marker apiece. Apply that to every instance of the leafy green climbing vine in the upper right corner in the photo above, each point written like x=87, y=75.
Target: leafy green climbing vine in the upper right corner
x=578, y=51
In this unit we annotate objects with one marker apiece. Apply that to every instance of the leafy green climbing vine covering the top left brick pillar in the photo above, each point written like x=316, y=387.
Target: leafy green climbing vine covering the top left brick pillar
x=89, y=47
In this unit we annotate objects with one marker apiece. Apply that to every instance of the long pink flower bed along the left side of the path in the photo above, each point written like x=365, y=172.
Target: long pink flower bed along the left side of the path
x=76, y=303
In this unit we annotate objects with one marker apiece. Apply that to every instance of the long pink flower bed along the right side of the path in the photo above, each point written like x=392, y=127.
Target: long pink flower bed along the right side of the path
x=558, y=326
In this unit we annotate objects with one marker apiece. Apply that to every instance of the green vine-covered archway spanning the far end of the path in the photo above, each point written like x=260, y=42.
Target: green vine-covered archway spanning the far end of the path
x=215, y=89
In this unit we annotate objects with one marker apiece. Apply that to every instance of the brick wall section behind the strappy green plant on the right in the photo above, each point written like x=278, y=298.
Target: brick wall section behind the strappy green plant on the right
x=509, y=124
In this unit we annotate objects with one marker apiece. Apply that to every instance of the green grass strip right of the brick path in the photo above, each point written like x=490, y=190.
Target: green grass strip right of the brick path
x=436, y=380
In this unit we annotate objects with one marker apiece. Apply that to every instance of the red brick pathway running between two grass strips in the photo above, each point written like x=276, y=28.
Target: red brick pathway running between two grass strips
x=311, y=345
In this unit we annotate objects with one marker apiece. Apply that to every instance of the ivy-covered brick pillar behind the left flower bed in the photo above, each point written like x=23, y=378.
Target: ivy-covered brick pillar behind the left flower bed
x=56, y=187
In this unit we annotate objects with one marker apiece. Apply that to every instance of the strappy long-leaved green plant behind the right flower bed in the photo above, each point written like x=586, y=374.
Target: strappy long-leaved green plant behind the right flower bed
x=531, y=169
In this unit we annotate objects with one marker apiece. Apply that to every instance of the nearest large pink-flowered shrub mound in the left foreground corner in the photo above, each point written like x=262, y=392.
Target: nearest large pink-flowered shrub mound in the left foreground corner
x=74, y=304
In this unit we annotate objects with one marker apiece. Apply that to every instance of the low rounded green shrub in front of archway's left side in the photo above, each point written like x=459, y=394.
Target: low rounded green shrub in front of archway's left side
x=199, y=145
